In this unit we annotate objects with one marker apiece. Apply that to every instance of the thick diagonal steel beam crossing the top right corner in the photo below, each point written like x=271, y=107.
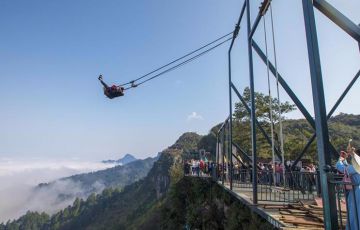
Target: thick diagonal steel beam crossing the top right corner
x=338, y=18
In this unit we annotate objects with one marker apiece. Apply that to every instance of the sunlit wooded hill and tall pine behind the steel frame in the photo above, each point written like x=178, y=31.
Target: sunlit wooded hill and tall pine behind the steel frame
x=296, y=132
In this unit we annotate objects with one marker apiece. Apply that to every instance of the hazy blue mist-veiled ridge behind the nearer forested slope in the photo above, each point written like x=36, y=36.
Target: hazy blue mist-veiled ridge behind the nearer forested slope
x=64, y=191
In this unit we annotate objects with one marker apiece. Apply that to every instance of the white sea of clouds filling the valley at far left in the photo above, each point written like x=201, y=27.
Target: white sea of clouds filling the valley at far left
x=19, y=179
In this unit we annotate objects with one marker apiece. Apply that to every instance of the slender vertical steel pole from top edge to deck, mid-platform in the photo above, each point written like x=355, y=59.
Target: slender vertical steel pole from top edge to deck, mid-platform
x=253, y=115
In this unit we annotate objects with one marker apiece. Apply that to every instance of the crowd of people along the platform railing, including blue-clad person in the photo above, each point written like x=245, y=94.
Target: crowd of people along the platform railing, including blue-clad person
x=304, y=177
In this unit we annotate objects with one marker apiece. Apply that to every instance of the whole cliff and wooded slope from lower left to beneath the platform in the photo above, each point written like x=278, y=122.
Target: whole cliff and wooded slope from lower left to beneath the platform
x=164, y=199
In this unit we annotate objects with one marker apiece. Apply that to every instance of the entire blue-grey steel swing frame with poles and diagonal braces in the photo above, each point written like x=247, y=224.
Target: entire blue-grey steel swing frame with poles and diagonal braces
x=319, y=124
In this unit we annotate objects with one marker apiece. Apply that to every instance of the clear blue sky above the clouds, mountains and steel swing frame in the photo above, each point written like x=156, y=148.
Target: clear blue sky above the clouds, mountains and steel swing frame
x=51, y=53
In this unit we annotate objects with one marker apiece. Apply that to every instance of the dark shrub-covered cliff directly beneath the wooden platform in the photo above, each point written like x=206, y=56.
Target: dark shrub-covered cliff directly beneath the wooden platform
x=197, y=203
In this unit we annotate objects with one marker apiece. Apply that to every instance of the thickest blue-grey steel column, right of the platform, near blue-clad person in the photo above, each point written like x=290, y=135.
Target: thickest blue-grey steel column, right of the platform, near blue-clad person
x=322, y=133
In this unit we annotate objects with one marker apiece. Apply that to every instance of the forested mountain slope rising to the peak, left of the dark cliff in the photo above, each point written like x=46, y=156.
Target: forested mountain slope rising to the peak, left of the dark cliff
x=131, y=208
